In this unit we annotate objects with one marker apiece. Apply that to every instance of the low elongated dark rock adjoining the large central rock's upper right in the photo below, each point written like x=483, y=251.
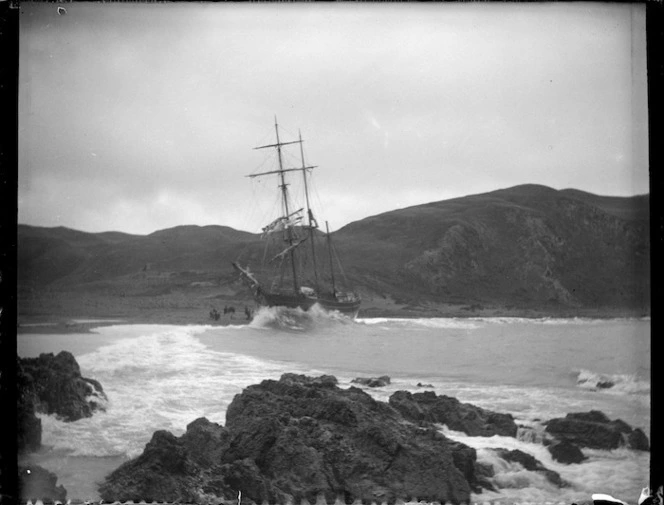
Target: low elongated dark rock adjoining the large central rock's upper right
x=472, y=420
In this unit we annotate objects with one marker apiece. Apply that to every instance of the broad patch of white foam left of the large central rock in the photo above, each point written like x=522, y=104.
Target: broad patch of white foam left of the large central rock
x=156, y=377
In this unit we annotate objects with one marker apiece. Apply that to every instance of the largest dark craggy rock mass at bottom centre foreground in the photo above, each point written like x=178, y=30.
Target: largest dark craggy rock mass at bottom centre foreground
x=300, y=438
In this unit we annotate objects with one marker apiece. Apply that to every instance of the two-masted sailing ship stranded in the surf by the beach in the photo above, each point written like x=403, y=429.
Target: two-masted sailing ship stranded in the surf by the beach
x=300, y=277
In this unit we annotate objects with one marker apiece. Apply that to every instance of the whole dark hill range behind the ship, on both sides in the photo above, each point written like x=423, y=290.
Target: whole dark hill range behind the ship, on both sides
x=521, y=250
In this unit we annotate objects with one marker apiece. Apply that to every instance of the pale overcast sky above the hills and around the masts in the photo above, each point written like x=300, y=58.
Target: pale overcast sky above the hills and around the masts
x=138, y=117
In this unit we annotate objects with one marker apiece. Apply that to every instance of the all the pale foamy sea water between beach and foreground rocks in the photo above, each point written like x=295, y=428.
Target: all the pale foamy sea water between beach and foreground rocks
x=165, y=376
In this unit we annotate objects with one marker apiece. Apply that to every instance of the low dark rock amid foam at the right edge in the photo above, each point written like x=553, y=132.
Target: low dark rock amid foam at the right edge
x=595, y=430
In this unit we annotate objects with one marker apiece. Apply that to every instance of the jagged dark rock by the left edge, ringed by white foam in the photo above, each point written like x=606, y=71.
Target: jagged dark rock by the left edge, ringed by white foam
x=53, y=385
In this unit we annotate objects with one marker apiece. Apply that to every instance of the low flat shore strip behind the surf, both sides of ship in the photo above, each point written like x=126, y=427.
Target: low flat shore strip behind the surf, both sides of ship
x=73, y=311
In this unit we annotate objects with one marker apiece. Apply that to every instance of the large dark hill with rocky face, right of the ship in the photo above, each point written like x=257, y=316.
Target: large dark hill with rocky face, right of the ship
x=522, y=246
